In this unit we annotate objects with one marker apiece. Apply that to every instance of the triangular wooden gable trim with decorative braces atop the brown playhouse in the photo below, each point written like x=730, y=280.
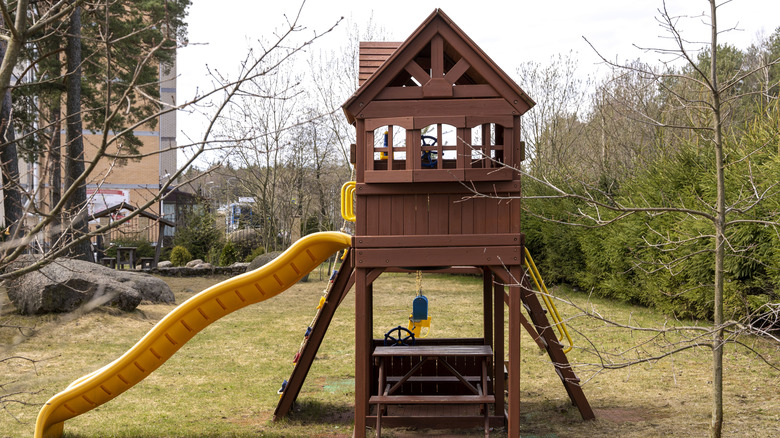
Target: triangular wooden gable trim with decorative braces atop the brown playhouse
x=437, y=28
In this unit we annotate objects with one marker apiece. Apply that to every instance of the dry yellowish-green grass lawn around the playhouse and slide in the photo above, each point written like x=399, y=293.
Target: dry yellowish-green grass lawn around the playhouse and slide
x=223, y=383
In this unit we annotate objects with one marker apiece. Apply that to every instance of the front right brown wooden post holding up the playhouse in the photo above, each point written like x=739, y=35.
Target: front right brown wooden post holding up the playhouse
x=515, y=306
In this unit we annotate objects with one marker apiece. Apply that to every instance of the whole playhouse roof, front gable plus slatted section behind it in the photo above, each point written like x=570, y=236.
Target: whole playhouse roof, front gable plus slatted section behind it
x=467, y=62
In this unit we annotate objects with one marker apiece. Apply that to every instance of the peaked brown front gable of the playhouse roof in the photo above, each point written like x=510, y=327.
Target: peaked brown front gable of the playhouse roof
x=478, y=65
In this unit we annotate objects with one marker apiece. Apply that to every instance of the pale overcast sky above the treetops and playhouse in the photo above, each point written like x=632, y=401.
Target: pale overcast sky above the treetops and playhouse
x=509, y=31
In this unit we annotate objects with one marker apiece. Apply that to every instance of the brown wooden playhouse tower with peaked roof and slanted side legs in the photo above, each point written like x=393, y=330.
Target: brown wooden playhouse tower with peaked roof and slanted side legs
x=438, y=133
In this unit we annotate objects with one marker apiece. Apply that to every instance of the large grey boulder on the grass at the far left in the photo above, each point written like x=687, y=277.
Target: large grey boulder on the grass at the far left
x=66, y=285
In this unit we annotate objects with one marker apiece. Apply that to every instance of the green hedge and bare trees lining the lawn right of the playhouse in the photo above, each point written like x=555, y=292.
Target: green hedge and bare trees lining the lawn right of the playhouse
x=659, y=186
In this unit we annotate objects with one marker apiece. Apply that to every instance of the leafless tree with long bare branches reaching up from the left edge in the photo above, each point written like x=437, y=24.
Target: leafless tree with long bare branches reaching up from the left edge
x=273, y=57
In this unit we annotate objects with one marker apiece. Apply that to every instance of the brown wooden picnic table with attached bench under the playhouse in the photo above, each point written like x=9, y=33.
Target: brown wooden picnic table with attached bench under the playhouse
x=388, y=385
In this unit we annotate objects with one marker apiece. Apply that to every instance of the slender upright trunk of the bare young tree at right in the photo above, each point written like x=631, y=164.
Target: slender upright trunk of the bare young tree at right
x=716, y=425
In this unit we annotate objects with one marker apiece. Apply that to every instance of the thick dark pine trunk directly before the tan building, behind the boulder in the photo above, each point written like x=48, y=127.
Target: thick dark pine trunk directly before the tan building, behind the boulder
x=74, y=148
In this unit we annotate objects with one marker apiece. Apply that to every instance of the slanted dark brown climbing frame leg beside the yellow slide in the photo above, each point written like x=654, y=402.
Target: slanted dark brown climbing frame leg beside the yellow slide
x=335, y=294
